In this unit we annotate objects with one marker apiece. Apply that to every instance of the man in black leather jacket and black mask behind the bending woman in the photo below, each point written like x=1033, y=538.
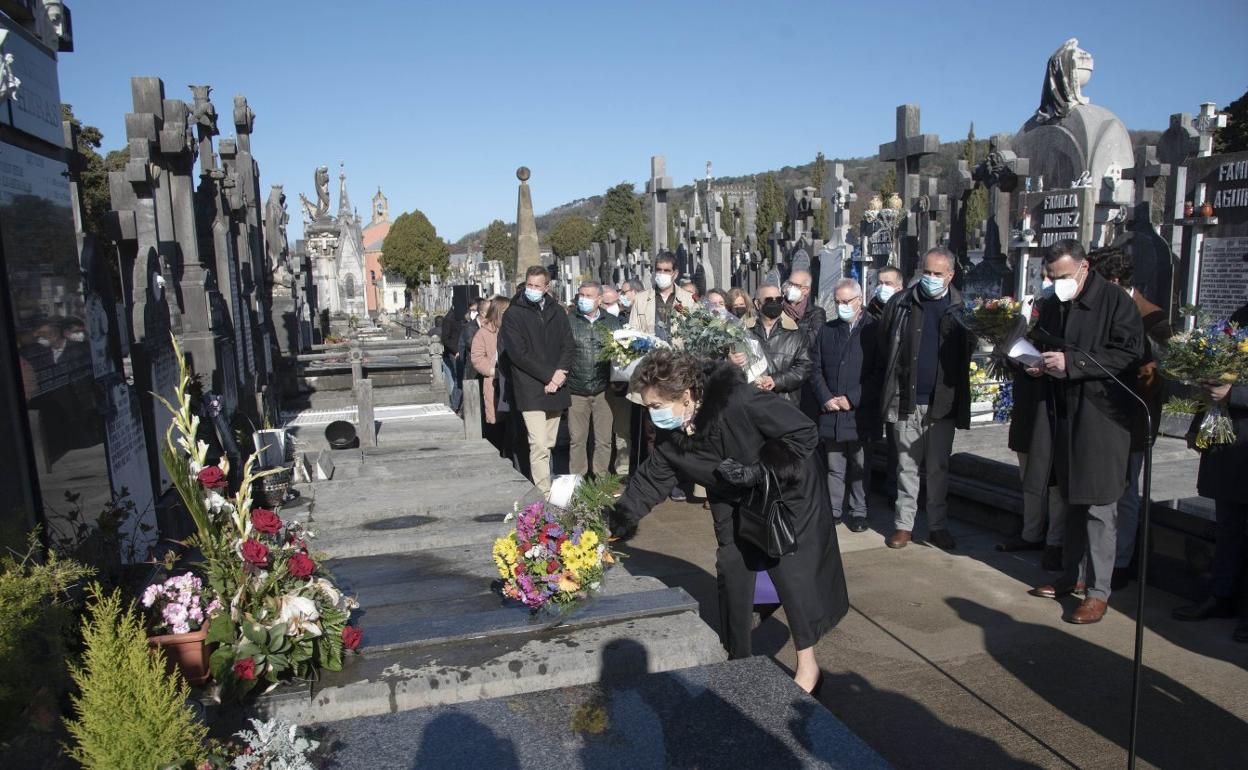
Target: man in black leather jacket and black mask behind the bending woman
x=784, y=346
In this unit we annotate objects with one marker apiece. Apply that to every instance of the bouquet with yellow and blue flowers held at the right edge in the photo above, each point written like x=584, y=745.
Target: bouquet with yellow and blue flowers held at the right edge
x=1212, y=354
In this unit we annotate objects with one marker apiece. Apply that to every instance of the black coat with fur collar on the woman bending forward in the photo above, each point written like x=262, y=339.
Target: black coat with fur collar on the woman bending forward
x=741, y=422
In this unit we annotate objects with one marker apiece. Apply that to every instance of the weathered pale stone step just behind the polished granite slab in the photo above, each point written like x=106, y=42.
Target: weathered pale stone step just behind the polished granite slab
x=414, y=678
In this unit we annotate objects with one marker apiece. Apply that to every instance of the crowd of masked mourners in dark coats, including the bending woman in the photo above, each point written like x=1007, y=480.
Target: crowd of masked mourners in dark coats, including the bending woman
x=888, y=375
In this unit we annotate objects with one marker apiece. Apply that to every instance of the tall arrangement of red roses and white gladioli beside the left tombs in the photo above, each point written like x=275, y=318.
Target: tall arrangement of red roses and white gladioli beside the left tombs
x=276, y=612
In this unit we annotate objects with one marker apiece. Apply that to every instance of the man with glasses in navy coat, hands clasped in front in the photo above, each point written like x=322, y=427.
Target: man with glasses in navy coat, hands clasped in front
x=847, y=381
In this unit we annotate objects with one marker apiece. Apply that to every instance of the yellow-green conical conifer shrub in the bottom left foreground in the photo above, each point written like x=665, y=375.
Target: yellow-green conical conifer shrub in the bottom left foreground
x=129, y=713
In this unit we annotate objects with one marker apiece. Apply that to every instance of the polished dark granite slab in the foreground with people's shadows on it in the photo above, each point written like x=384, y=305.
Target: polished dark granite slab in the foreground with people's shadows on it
x=736, y=714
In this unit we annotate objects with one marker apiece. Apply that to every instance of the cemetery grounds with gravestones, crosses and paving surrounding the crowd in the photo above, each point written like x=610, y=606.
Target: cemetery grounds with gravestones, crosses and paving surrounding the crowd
x=199, y=384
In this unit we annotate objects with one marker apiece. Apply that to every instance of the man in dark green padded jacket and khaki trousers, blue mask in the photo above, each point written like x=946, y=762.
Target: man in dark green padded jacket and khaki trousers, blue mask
x=588, y=381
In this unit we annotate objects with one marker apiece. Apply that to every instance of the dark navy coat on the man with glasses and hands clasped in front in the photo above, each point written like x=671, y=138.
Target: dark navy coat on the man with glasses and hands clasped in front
x=848, y=363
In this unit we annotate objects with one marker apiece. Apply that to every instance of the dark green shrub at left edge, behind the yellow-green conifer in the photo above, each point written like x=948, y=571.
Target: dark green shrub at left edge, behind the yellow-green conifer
x=37, y=621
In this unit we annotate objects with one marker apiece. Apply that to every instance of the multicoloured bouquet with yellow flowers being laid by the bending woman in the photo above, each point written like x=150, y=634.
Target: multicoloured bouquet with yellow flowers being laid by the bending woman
x=556, y=557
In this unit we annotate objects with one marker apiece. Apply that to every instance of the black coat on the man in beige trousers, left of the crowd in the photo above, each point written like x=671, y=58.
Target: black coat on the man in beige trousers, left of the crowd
x=535, y=344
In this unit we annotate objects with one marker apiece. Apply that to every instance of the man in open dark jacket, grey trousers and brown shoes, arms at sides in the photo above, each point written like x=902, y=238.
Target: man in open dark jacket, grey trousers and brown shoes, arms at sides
x=927, y=392
